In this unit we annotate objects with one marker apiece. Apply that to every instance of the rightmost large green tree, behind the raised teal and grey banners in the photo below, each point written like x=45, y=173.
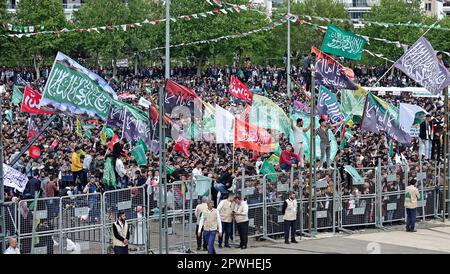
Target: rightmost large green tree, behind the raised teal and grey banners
x=392, y=11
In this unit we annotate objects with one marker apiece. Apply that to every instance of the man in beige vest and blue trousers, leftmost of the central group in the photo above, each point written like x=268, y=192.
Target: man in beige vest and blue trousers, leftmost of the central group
x=210, y=223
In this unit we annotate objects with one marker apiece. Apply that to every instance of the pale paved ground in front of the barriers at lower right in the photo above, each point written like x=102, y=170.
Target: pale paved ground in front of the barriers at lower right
x=431, y=238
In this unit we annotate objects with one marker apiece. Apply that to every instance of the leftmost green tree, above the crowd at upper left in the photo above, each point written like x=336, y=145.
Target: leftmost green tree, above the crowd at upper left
x=47, y=13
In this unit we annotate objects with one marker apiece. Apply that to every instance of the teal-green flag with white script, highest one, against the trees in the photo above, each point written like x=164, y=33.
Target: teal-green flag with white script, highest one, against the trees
x=343, y=43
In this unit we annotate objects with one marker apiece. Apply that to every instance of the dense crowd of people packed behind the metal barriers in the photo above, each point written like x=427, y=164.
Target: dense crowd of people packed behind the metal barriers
x=72, y=164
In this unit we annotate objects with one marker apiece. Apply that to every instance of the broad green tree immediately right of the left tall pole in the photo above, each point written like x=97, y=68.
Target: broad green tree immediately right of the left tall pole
x=192, y=29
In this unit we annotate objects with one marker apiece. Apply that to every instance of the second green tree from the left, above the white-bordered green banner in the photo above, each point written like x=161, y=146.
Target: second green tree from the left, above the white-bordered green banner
x=105, y=45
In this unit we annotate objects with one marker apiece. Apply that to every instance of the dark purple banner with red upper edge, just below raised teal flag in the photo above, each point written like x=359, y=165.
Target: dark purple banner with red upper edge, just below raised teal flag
x=331, y=73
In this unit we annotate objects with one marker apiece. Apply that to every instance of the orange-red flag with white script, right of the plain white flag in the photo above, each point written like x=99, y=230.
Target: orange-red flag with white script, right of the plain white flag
x=251, y=137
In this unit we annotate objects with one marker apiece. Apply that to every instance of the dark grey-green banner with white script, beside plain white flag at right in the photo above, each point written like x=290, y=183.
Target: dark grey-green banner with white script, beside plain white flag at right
x=380, y=116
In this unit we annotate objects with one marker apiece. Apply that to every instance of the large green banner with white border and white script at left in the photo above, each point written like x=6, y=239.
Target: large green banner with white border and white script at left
x=76, y=90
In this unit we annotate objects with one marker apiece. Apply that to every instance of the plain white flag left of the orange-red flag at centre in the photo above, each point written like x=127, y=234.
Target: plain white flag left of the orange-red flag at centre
x=224, y=126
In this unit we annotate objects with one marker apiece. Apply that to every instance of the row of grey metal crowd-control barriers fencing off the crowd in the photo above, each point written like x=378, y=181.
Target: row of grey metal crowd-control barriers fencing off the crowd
x=83, y=223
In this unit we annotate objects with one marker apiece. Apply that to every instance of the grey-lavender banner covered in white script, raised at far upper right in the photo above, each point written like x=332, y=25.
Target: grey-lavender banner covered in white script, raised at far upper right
x=421, y=64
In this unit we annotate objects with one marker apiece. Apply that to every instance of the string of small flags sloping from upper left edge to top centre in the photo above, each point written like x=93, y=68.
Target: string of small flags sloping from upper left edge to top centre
x=125, y=27
